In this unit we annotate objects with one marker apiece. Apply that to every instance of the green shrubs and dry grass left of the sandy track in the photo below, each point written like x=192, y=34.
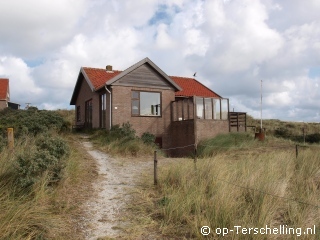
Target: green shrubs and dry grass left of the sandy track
x=41, y=180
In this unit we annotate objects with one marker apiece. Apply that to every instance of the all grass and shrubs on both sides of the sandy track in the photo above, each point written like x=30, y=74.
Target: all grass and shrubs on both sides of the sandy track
x=236, y=181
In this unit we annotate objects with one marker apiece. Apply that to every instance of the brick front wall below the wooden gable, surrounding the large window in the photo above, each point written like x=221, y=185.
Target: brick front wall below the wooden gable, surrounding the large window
x=121, y=112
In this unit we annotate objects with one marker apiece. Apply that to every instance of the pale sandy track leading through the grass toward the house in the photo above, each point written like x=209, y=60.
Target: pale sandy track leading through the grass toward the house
x=111, y=193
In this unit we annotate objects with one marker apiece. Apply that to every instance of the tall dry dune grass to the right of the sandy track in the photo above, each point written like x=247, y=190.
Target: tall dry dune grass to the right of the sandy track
x=271, y=187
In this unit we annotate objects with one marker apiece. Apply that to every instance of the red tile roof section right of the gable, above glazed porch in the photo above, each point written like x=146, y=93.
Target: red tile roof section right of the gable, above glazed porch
x=191, y=87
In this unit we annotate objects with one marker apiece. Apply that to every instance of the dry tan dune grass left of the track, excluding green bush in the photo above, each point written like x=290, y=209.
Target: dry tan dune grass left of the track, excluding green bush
x=44, y=211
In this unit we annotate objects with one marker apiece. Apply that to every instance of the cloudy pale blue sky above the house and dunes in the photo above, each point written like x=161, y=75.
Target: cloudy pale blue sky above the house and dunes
x=233, y=45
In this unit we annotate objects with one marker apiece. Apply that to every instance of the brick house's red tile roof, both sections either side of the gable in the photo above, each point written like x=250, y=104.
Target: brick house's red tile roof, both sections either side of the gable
x=190, y=87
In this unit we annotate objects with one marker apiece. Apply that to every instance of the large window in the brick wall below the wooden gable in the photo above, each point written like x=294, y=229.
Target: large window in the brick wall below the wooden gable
x=145, y=103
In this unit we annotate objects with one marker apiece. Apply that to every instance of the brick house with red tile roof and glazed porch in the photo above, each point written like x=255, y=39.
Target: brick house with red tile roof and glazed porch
x=178, y=111
